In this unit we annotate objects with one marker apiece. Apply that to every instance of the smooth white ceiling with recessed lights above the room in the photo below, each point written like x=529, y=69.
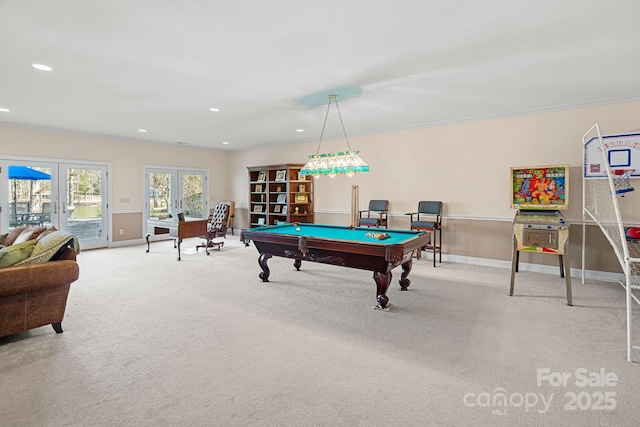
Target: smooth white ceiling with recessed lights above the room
x=124, y=65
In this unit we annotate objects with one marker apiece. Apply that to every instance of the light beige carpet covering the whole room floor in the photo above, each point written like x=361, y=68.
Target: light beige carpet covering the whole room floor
x=150, y=341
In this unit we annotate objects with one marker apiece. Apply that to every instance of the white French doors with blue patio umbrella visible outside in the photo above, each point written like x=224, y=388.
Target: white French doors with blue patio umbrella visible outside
x=71, y=197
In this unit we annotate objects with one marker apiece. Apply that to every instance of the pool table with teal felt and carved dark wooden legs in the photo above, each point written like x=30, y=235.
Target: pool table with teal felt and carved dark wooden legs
x=339, y=245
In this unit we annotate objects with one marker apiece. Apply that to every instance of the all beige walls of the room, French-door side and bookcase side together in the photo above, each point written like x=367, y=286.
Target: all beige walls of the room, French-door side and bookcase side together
x=464, y=165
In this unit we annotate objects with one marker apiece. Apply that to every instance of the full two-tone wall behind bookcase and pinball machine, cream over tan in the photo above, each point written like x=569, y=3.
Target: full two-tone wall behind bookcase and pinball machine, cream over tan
x=467, y=167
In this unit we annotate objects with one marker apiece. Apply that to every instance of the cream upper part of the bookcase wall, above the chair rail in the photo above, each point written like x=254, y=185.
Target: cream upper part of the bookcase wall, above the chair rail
x=464, y=165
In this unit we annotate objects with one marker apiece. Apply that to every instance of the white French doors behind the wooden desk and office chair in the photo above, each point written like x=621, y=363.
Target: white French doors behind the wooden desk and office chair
x=173, y=191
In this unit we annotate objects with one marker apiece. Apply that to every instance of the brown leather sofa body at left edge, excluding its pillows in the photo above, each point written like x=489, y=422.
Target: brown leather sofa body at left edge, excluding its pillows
x=35, y=295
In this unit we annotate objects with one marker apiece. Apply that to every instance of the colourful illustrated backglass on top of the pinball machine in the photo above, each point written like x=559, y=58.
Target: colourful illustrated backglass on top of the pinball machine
x=540, y=187
